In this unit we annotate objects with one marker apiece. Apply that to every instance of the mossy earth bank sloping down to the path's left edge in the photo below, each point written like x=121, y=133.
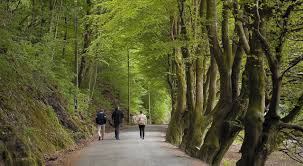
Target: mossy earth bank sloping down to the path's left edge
x=34, y=116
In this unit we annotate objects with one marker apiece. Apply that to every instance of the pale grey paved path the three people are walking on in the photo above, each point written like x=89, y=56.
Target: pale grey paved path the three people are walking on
x=130, y=150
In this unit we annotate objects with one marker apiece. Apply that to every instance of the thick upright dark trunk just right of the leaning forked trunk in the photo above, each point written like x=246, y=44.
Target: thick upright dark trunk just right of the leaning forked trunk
x=254, y=117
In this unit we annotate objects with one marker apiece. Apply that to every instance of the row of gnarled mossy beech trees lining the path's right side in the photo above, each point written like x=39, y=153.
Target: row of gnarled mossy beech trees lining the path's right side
x=249, y=33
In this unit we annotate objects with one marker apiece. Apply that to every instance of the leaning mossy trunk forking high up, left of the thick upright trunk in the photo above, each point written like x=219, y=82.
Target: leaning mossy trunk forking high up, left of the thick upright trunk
x=223, y=129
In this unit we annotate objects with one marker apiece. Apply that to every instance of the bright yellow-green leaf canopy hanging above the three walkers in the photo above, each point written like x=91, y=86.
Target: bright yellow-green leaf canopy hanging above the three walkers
x=119, y=34
